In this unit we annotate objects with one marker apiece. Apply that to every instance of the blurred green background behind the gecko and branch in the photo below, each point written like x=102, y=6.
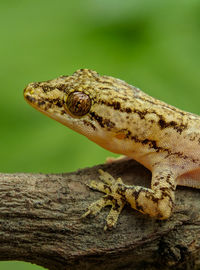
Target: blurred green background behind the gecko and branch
x=151, y=44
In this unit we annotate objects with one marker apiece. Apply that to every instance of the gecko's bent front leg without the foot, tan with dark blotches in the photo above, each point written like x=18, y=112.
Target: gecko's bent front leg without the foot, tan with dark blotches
x=157, y=201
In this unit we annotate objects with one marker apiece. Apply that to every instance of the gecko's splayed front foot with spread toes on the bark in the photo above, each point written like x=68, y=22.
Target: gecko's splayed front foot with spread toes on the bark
x=109, y=186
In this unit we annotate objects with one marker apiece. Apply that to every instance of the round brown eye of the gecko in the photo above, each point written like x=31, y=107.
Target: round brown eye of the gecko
x=78, y=103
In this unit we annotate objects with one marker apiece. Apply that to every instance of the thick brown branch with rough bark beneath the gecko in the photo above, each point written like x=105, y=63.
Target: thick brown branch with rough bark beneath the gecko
x=40, y=223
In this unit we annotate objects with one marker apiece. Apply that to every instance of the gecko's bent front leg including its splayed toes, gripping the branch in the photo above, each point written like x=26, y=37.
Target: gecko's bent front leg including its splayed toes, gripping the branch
x=156, y=202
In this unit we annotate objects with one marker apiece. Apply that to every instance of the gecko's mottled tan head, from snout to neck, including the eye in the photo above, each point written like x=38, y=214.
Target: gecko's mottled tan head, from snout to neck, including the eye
x=85, y=102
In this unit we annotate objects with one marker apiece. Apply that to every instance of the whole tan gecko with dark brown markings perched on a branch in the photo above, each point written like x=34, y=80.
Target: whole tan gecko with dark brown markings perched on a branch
x=124, y=120
